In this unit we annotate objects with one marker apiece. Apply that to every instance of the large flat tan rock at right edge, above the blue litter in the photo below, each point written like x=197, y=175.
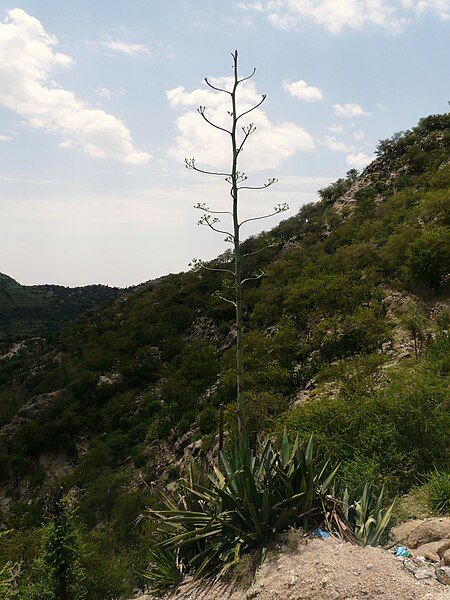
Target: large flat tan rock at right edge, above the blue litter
x=418, y=532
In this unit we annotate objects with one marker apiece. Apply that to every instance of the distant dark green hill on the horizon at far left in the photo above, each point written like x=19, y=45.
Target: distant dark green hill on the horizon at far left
x=30, y=310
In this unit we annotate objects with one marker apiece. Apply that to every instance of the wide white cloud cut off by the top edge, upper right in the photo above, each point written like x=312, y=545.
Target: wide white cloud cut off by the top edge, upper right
x=337, y=15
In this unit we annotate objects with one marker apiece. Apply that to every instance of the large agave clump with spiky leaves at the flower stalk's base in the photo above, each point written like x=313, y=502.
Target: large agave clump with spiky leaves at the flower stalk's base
x=244, y=504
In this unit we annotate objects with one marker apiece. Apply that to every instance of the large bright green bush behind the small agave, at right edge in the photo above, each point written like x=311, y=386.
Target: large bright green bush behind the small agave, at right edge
x=393, y=432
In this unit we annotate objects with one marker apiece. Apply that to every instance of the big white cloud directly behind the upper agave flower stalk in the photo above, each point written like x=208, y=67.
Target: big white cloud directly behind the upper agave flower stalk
x=265, y=149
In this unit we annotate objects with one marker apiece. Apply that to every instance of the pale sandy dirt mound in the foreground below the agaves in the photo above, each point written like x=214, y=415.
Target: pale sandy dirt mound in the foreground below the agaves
x=325, y=570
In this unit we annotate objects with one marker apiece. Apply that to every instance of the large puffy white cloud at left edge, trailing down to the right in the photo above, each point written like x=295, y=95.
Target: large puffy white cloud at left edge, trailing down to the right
x=28, y=57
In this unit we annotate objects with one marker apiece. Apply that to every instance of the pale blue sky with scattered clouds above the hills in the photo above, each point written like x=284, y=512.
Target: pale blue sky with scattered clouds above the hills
x=98, y=106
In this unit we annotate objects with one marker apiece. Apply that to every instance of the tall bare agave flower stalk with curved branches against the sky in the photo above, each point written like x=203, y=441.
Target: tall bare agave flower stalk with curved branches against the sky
x=236, y=180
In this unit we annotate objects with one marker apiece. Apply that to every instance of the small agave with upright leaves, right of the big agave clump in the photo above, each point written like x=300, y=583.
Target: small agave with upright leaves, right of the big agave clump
x=367, y=516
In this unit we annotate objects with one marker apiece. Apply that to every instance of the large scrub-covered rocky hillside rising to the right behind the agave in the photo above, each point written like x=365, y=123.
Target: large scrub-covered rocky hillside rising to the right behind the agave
x=346, y=337
